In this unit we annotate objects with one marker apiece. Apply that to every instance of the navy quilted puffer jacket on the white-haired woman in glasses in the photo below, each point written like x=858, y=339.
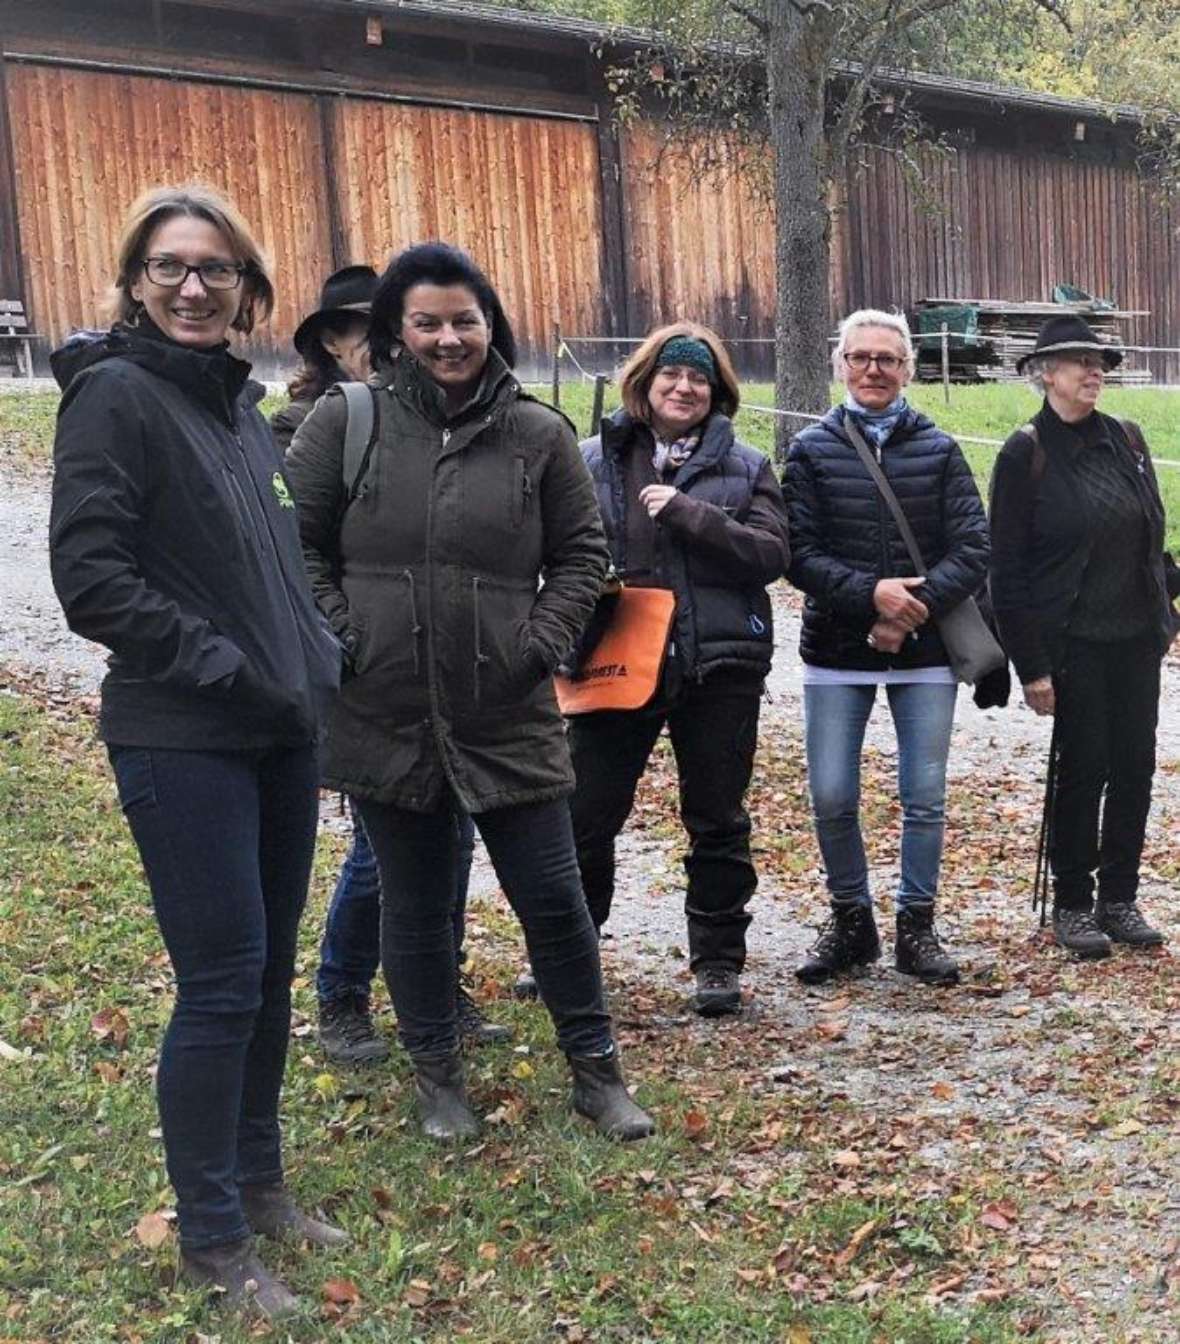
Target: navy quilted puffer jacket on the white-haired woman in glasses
x=845, y=538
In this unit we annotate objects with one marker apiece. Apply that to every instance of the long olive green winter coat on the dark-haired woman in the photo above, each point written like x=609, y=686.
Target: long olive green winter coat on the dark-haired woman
x=459, y=577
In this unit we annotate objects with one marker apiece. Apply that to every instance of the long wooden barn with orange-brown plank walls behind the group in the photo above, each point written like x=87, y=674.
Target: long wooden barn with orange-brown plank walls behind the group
x=346, y=130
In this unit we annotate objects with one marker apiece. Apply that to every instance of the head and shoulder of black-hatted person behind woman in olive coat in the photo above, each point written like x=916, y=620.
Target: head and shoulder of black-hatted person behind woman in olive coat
x=333, y=345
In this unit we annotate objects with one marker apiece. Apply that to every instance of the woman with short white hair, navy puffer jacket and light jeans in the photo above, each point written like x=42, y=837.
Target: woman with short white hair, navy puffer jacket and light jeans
x=870, y=622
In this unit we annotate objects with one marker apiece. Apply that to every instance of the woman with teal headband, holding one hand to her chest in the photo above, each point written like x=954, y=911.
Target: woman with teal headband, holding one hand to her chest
x=687, y=507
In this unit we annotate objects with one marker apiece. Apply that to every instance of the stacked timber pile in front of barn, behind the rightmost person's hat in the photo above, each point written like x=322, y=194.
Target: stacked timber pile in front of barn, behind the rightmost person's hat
x=988, y=335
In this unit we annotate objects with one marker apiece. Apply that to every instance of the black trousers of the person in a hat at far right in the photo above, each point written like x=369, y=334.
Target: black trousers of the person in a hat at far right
x=1108, y=700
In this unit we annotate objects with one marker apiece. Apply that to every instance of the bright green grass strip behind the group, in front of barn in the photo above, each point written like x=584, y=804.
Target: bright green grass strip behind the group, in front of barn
x=986, y=412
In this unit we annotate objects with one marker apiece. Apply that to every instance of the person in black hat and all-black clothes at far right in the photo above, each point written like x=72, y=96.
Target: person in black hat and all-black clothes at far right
x=1083, y=592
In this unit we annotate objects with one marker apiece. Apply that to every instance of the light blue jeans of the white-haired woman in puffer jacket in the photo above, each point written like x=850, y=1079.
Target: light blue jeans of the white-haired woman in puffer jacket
x=837, y=718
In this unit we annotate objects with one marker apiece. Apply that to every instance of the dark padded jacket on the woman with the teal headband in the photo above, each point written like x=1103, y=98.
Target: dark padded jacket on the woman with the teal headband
x=717, y=544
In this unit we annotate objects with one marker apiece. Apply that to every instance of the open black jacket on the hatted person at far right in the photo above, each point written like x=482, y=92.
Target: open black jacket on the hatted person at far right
x=1042, y=542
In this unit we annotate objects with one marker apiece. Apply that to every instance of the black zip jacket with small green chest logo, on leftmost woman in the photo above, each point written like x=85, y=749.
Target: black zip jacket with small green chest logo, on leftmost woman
x=174, y=542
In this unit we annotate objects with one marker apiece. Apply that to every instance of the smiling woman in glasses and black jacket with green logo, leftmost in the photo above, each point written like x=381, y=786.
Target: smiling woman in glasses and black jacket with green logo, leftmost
x=174, y=542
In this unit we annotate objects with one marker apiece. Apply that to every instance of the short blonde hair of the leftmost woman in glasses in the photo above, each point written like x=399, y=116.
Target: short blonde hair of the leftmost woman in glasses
x=197, y=201
